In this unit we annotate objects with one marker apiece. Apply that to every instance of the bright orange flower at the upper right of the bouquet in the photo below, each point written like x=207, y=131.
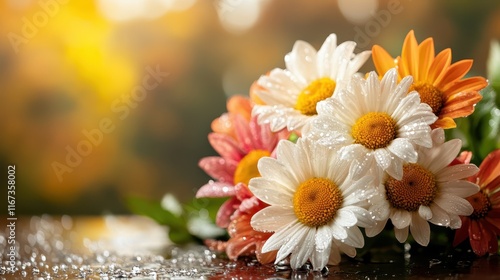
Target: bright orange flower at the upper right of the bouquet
x=439, y=83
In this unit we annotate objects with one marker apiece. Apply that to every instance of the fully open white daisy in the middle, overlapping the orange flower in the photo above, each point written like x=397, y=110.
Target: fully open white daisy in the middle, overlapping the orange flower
x=376, y=124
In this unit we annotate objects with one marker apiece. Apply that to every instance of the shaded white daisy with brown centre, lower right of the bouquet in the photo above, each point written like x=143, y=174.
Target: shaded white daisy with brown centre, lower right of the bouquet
x=430, y=191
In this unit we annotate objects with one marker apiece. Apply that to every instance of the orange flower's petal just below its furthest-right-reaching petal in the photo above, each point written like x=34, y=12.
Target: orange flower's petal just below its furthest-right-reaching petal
x=460, y=104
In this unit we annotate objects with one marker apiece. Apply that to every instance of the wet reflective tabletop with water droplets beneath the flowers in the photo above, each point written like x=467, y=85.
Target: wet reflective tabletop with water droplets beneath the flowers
x=136, y=248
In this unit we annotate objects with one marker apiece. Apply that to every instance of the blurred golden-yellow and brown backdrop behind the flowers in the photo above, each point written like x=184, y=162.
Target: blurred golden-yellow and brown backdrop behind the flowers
x=105, y=99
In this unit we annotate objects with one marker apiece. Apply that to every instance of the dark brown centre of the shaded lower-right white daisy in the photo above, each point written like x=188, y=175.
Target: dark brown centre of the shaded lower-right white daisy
x=417, y=187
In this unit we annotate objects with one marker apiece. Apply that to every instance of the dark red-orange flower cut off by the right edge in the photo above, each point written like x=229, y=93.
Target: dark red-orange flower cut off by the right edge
x=483, y=225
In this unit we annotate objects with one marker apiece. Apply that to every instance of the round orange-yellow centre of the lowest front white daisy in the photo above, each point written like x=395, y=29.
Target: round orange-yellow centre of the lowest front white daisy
x=316, y=201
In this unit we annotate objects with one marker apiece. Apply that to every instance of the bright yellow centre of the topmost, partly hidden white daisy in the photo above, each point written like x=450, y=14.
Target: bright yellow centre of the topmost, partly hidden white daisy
x=318, y=90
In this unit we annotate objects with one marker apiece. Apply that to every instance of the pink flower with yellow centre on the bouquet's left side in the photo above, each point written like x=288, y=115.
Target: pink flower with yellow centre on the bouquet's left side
x=239, y=155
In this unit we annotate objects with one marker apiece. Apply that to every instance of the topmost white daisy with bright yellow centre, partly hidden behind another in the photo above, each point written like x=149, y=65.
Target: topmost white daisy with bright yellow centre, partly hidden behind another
x=290, y=95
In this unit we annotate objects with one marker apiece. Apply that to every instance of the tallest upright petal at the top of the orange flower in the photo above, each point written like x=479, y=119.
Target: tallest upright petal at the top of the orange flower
x=409, y=57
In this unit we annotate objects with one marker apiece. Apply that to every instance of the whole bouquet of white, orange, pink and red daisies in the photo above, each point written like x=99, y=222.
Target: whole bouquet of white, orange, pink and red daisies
x=320, y=151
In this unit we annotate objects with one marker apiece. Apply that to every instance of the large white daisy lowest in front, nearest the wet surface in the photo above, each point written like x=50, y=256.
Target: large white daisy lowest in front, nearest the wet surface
x=314, y=207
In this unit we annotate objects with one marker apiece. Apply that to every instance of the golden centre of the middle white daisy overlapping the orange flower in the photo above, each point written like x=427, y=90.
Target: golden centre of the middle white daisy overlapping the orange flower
x=374, y=130
